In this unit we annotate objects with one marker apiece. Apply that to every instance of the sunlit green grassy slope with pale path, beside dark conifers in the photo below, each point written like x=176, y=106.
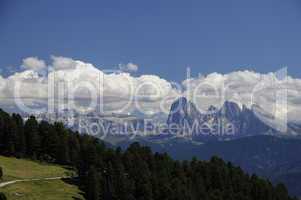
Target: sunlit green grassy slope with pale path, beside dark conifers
x=47, y=190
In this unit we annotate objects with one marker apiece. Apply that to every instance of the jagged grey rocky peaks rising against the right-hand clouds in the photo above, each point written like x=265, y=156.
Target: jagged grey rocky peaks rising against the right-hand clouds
x=230, y=119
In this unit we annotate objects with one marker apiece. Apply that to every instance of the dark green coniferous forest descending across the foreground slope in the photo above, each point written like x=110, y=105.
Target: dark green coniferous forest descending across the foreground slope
x=133, y=174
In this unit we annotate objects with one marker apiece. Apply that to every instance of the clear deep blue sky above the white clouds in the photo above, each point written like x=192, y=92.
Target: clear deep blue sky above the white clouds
x=162, y=37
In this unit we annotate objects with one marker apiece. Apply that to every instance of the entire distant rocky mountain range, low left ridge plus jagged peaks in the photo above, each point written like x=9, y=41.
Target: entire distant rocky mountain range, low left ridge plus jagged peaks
x=183, y=120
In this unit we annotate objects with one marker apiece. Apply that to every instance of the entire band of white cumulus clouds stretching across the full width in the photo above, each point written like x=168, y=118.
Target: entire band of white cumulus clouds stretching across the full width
x=78, y=82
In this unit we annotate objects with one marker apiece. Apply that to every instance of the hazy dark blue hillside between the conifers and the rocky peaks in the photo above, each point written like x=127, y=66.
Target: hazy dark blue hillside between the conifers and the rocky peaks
x=276, y=158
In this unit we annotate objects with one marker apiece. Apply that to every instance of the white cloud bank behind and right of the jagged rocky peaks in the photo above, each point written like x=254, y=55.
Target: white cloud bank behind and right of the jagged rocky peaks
x=275, y=93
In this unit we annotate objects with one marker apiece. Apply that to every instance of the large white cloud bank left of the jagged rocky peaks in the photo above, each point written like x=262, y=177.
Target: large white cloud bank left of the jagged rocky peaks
x=80, y=83
